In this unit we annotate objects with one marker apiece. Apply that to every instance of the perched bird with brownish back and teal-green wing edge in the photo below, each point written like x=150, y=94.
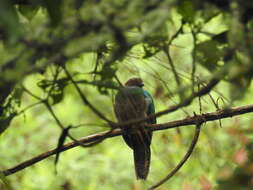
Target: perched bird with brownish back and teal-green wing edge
x=134, y=102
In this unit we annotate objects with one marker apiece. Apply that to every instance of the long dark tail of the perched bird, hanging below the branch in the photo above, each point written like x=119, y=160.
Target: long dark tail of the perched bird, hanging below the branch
x=141, y=161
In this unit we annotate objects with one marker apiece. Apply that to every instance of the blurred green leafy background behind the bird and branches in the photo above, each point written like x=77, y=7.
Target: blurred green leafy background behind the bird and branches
x=106, y=38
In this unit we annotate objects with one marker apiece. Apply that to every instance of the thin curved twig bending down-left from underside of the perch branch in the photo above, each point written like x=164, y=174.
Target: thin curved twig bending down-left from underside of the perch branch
x=181, y=163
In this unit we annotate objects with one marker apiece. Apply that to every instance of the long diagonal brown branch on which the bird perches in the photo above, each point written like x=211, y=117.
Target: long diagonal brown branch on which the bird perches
x=226, y=113
